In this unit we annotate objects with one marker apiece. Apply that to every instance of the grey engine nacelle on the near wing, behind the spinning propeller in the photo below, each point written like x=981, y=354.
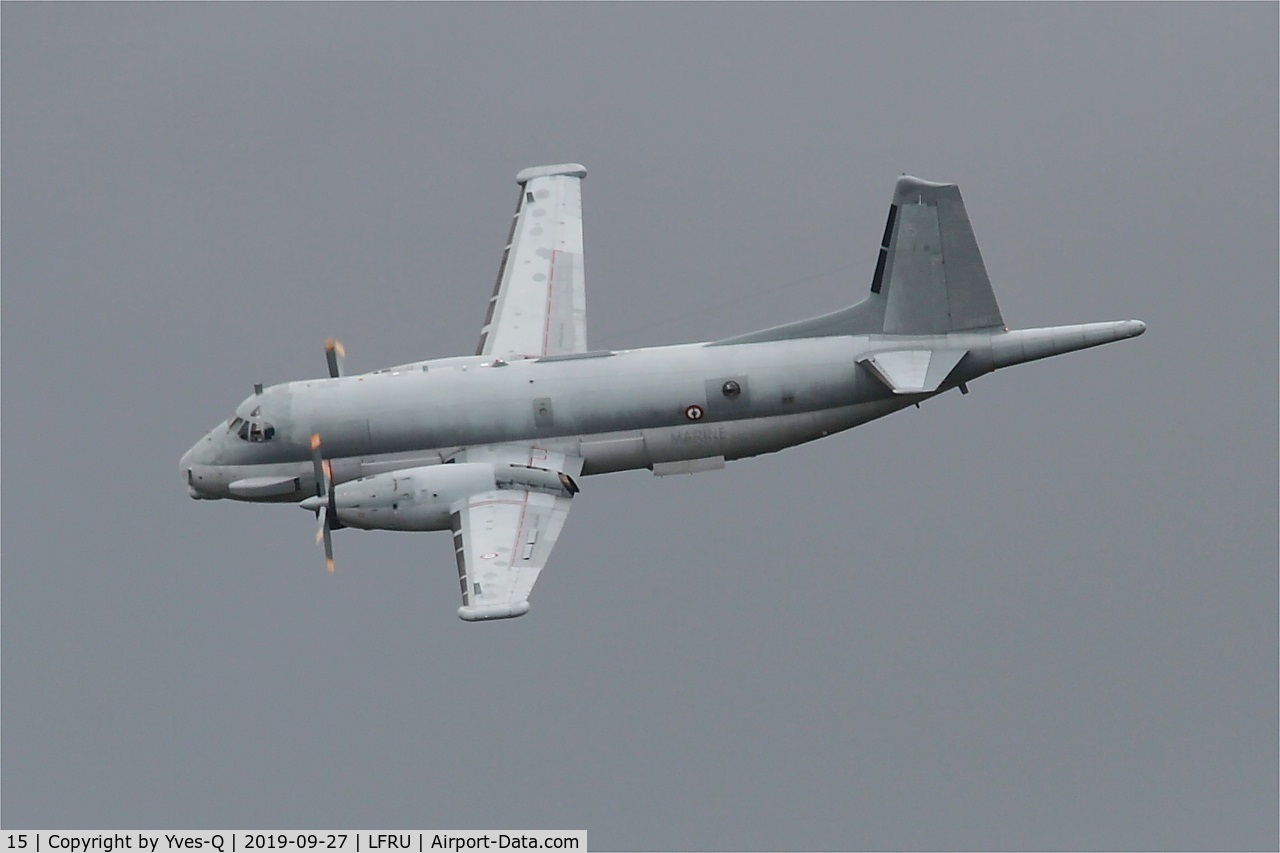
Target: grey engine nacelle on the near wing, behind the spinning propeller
x=423, y=499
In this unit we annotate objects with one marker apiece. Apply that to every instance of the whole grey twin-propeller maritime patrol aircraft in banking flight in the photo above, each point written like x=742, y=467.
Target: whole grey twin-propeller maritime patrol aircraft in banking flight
x=492, y=446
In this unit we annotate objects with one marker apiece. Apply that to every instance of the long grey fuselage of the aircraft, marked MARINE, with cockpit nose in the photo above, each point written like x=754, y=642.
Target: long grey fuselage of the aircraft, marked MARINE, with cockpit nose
x=642, y=409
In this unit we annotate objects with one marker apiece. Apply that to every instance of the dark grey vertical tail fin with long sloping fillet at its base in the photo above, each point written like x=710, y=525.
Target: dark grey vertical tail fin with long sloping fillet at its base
x=930, y=277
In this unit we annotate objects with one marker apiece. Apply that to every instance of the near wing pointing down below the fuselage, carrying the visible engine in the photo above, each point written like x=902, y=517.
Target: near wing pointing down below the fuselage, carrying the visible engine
x=504, y=539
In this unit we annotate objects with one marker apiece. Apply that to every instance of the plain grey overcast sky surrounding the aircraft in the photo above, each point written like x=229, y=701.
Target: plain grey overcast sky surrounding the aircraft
x=1039, y=617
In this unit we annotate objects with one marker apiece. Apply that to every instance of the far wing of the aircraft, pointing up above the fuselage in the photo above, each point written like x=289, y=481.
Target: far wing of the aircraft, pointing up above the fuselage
x=540, y=300
